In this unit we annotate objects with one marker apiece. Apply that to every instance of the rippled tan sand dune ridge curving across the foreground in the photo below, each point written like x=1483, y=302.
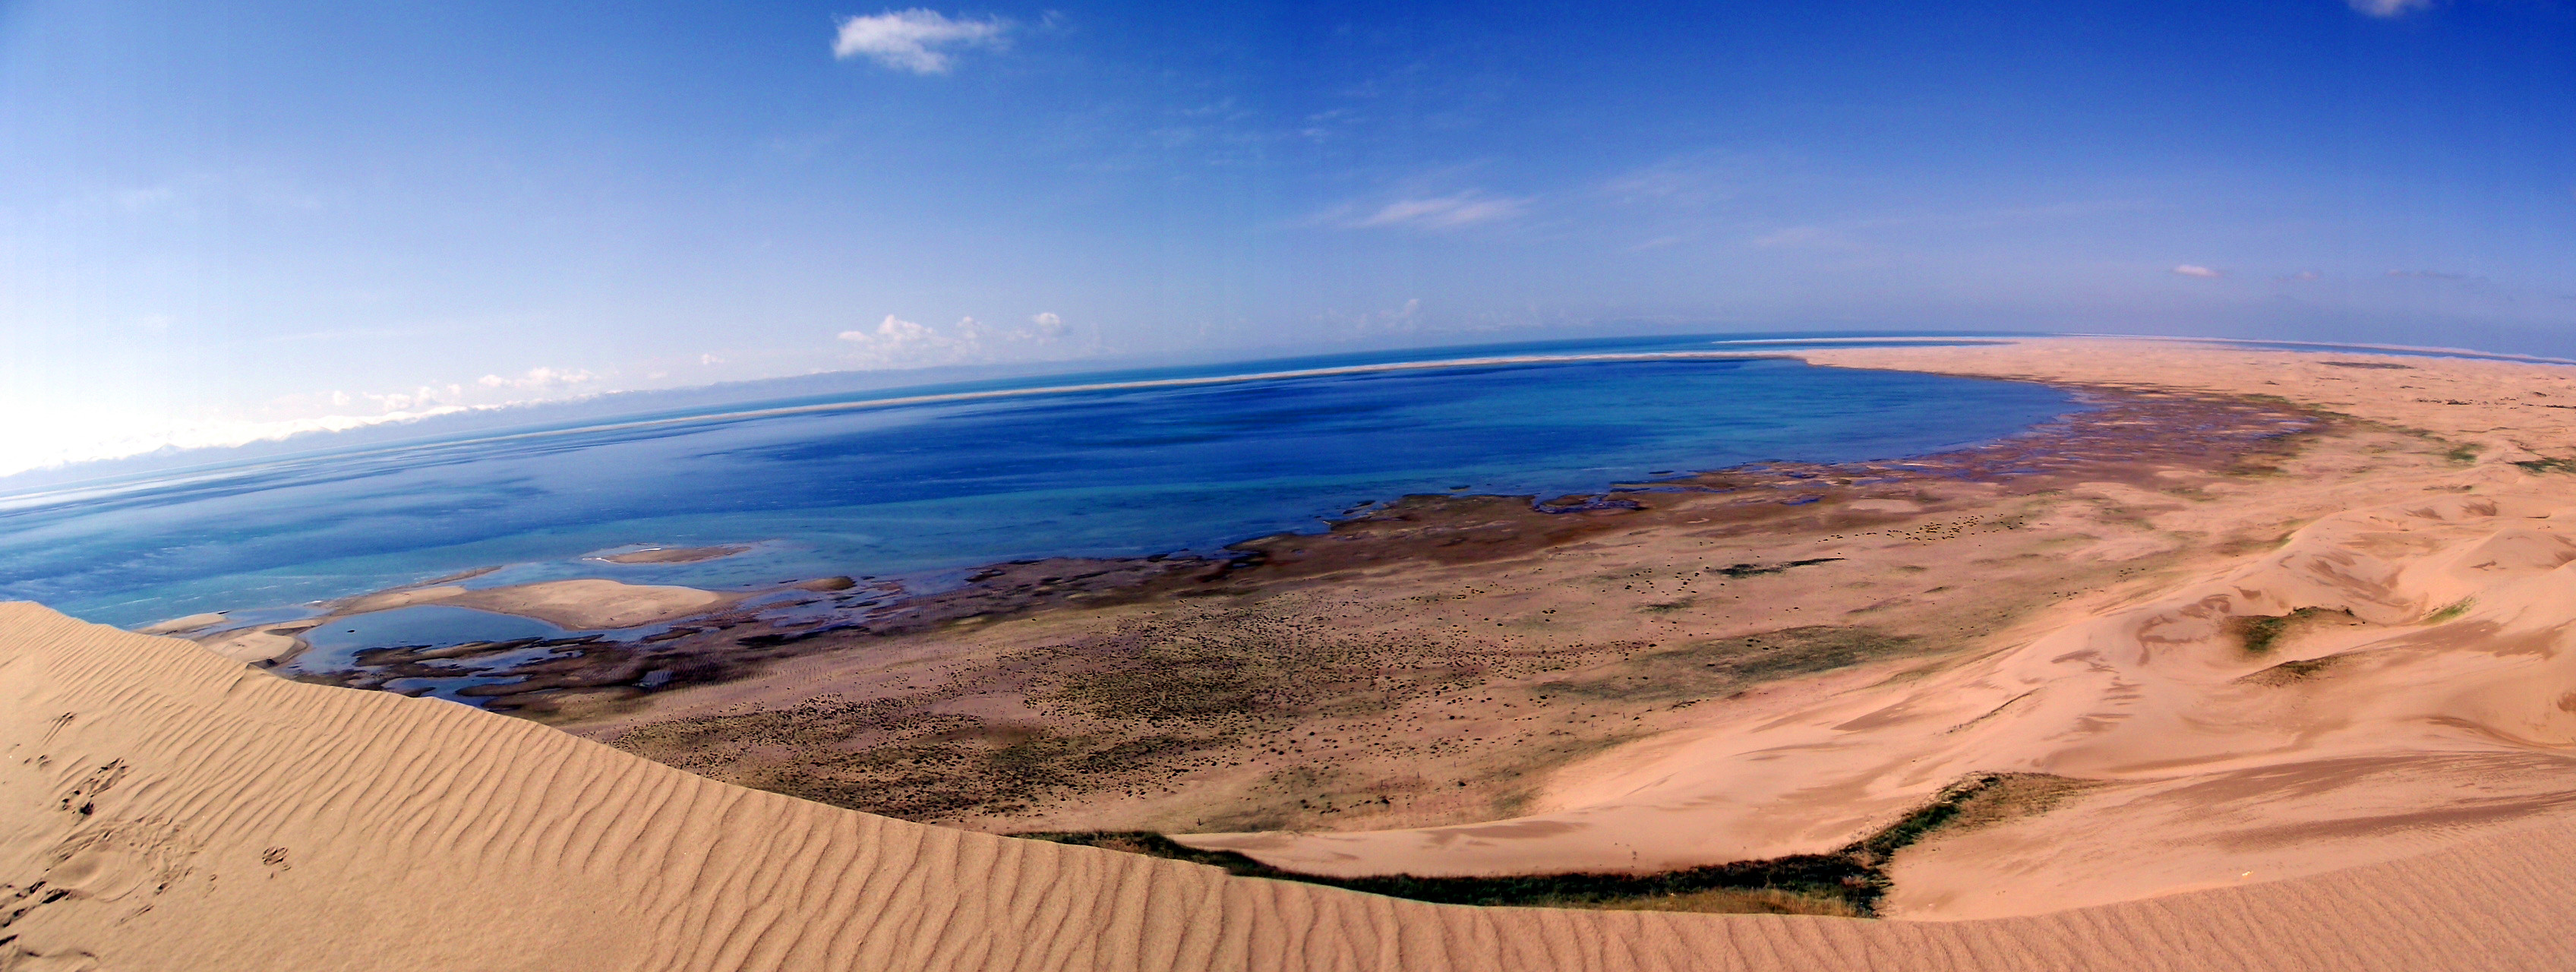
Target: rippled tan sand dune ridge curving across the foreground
x=164, y=808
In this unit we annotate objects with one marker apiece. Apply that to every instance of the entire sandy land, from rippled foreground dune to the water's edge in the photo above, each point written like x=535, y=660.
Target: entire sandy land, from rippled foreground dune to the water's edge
x=2255, y=664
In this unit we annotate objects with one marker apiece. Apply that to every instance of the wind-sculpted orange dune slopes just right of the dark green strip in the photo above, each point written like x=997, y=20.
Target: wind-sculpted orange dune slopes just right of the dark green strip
x=2363, y=739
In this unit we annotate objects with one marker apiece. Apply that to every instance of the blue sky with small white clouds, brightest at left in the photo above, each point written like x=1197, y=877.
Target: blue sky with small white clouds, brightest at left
x=228, y=220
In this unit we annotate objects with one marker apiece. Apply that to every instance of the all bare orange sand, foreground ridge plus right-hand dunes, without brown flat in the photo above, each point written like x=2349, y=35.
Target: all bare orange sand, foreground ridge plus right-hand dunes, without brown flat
x=2348, y=749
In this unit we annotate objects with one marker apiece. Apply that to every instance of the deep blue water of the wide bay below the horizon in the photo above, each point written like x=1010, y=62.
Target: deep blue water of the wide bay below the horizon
x=916, y=491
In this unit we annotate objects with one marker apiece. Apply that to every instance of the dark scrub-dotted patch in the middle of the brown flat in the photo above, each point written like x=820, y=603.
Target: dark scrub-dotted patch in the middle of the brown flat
x=1114, y=713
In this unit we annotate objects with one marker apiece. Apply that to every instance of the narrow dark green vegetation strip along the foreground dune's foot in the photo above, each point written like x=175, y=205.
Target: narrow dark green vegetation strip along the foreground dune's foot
x=1843, y=883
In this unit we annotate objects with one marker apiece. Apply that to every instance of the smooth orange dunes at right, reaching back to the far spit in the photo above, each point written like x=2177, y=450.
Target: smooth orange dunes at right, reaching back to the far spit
x=2394, y=731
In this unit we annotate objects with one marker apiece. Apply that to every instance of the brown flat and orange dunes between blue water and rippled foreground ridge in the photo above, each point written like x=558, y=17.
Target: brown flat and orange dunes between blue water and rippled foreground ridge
x=2196, y=638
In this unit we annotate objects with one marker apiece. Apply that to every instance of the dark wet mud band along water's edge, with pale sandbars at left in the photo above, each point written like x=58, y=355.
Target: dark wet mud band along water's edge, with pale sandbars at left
x=1426, y=527
